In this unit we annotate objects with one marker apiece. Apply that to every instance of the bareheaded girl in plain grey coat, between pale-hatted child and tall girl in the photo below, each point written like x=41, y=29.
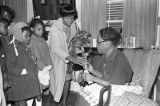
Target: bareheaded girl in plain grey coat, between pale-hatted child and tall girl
x=39, y=48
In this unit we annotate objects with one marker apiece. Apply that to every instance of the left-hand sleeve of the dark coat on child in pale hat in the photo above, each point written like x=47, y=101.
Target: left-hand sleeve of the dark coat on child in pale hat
x=12, y=63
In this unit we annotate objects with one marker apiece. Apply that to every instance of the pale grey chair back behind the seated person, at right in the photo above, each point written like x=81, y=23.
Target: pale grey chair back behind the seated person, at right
x=145, y=64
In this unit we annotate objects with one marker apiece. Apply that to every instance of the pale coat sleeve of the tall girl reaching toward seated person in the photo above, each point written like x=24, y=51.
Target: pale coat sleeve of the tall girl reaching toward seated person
x=55, y=45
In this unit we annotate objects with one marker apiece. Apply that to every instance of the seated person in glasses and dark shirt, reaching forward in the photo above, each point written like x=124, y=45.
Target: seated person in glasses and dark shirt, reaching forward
x=111, y=66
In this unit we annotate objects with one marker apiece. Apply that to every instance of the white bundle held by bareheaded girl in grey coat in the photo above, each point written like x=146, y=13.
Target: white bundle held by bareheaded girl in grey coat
x=44, y=76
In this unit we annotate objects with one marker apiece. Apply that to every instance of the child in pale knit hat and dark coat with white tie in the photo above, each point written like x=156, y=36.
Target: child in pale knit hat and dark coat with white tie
x=22, y=71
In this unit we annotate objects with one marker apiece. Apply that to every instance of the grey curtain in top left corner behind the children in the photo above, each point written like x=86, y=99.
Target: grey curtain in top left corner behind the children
x=20, y=7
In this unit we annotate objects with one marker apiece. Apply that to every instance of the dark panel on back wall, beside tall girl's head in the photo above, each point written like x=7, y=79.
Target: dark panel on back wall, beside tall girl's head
x=50, y=10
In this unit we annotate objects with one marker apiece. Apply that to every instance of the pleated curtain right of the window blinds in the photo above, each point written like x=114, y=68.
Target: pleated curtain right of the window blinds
x=140, y=21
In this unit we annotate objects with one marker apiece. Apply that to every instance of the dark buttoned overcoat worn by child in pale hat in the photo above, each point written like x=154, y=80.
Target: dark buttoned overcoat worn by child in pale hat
x=22, y=86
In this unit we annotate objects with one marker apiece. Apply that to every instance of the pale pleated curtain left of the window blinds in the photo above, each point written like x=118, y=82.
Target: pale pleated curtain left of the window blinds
x=93, y=16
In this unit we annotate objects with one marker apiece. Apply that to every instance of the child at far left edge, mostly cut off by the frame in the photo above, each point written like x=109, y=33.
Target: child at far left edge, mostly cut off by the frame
x=3, y=69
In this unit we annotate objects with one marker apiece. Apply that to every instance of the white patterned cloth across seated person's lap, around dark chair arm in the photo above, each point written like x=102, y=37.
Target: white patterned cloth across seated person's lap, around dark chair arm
x=91, y=93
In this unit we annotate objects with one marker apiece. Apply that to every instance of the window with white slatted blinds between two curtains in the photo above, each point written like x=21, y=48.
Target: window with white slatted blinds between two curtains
x=114, y=14
